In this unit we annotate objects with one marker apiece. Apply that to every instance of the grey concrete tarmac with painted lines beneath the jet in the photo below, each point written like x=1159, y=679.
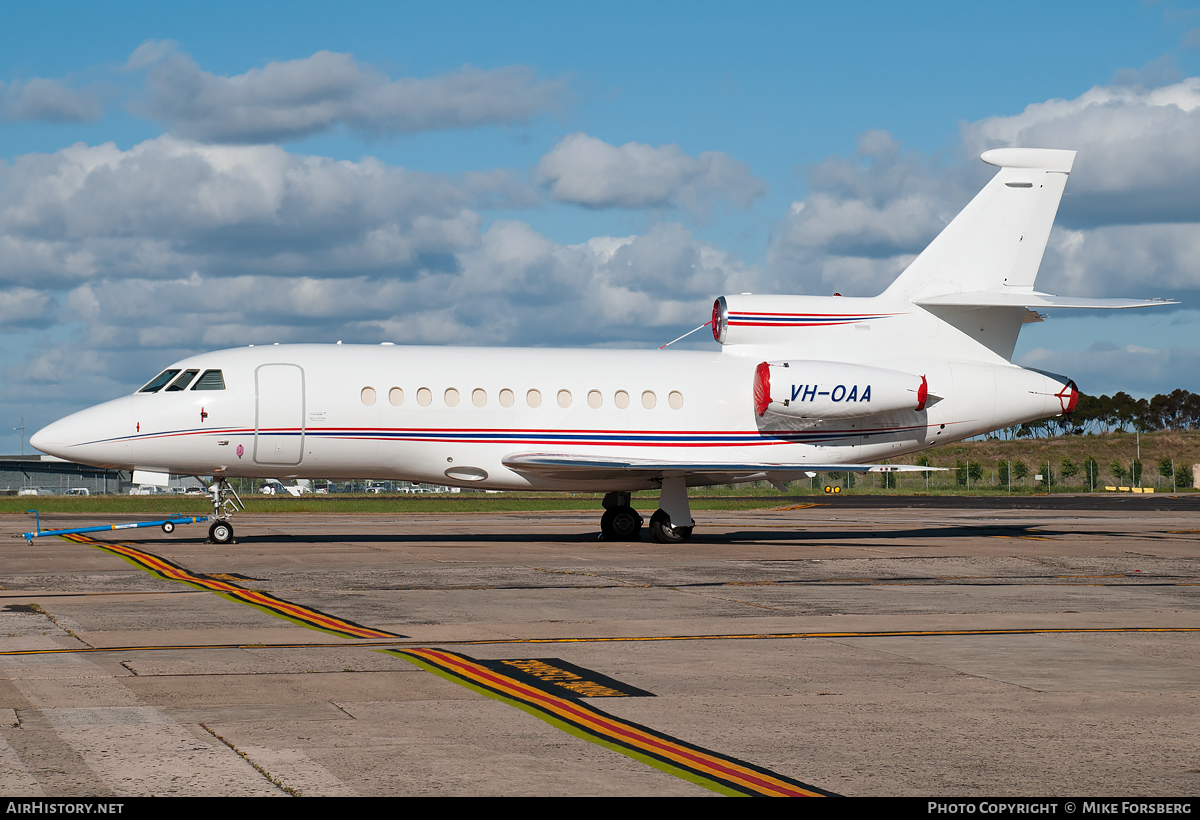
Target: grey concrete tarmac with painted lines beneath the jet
x=830, y=647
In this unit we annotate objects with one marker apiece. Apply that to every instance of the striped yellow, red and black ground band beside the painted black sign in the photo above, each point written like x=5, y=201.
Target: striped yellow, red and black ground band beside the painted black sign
x=711, y=770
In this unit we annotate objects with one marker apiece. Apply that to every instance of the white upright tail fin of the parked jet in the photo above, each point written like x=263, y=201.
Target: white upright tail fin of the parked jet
x=998, y=242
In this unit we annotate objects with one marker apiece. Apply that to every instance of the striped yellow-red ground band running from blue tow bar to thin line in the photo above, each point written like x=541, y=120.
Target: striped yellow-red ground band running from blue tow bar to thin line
x=265, y=602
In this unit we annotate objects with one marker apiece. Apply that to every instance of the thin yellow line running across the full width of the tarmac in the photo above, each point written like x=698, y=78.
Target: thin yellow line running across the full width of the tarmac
x=623, y=639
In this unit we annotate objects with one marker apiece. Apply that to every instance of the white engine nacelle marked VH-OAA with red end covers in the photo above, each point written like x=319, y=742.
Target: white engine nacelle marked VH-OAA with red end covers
x=835, y=391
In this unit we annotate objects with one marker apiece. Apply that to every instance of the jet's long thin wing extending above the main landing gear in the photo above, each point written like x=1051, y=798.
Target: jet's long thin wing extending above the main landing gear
x=598, y=468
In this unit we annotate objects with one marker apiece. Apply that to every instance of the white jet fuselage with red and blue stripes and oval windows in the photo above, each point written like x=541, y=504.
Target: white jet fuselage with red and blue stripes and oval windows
x=452, y=415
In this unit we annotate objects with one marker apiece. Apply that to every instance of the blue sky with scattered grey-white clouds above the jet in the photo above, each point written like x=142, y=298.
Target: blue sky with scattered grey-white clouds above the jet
x=183, y=179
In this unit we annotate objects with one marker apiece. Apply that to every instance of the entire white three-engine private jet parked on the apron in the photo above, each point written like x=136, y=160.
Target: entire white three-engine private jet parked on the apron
x=801, y=385
